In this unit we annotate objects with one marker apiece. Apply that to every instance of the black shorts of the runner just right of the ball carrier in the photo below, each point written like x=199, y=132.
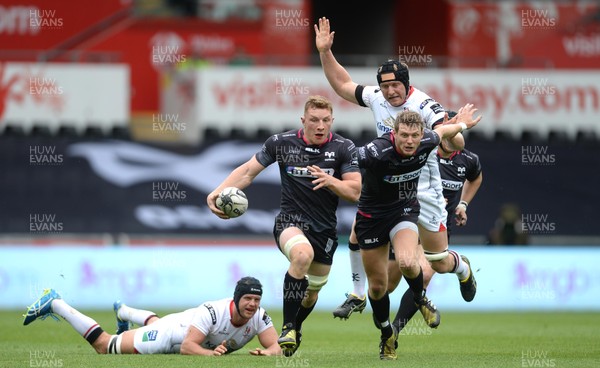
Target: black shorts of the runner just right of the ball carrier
x=375, y=232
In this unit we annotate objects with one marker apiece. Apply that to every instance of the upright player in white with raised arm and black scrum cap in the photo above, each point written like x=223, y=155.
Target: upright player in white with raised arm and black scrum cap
x=393, y=95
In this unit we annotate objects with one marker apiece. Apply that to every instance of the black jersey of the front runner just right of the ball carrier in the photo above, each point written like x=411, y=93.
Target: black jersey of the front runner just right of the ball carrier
x=389, y=180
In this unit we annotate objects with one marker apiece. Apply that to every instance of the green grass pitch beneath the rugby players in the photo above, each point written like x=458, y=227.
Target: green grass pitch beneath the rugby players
x=532, y=339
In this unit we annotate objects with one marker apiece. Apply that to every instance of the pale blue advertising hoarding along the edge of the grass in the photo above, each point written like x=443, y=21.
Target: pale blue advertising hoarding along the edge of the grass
x=509, y=278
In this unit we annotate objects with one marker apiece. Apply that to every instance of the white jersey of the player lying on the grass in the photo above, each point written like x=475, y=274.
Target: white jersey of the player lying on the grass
x=213, y=319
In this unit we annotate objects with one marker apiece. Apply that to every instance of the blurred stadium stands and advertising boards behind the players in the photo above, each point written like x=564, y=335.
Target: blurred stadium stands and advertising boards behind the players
x=118, y=118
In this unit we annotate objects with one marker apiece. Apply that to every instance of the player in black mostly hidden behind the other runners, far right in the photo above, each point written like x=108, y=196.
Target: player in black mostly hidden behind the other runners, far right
x=461, y=178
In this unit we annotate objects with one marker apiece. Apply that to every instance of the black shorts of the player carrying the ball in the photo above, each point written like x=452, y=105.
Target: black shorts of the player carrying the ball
x=324, y=243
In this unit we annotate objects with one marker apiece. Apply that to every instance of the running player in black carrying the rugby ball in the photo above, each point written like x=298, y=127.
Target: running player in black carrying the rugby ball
x=317, y=167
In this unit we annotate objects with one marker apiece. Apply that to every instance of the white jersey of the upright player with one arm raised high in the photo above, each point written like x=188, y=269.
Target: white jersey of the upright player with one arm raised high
x=430, y=182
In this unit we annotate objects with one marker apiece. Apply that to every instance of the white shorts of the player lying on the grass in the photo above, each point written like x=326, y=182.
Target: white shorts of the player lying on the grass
x=163, y=336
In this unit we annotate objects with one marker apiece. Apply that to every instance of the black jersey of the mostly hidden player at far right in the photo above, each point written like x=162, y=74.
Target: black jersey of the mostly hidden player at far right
x=454, y=170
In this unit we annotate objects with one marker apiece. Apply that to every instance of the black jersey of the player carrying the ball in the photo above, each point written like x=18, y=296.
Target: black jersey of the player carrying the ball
x=337, y=156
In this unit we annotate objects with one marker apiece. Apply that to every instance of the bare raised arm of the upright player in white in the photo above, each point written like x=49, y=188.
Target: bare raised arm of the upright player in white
x=336, y=75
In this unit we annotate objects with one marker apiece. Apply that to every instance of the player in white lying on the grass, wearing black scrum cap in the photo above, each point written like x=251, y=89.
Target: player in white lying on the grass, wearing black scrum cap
x=213, y=328
